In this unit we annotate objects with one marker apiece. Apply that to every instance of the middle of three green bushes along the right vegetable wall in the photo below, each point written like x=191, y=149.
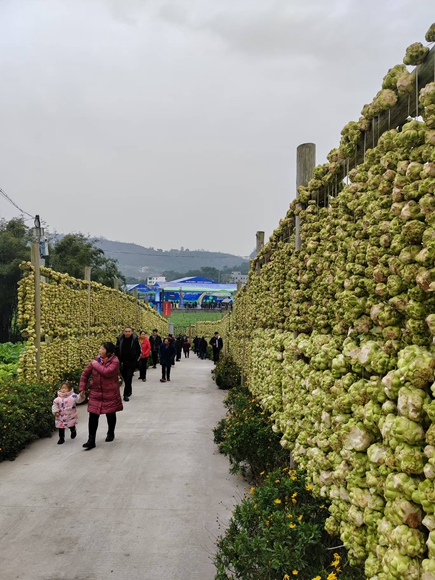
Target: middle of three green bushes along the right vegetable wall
x=245, y=435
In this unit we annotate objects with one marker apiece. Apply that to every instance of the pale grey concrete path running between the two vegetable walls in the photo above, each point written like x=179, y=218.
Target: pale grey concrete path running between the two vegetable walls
x=144, y=507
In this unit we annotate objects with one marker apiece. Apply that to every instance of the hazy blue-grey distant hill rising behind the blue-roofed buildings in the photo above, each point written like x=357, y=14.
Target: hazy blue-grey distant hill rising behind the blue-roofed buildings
x=139, y=262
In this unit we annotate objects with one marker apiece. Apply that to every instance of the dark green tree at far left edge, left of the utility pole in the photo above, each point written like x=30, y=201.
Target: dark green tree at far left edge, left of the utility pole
x=14, y=248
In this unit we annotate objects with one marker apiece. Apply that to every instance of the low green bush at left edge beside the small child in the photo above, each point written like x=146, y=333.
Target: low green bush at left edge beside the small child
x=25, y=415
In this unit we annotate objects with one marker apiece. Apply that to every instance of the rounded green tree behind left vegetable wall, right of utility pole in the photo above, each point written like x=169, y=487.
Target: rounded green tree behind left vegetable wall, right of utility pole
x=74, y=252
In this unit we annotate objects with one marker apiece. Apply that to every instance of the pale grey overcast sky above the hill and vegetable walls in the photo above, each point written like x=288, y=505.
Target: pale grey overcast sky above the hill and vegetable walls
x=175, y=123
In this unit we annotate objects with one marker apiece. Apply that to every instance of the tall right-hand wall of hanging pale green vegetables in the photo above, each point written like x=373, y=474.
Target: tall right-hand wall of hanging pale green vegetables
x=337, y=339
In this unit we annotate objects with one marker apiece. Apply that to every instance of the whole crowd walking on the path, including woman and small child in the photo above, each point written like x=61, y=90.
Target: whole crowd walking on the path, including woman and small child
x=130, y=353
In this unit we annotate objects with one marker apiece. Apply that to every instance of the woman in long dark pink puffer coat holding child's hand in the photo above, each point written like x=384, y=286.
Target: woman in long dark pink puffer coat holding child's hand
x=104, y=396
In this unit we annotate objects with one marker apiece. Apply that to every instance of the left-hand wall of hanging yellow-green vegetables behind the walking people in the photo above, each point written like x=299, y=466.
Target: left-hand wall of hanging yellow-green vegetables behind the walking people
x=74, y=322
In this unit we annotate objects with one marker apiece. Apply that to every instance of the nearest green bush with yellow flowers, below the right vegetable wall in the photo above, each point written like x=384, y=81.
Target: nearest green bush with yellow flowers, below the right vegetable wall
x=277, y=533
